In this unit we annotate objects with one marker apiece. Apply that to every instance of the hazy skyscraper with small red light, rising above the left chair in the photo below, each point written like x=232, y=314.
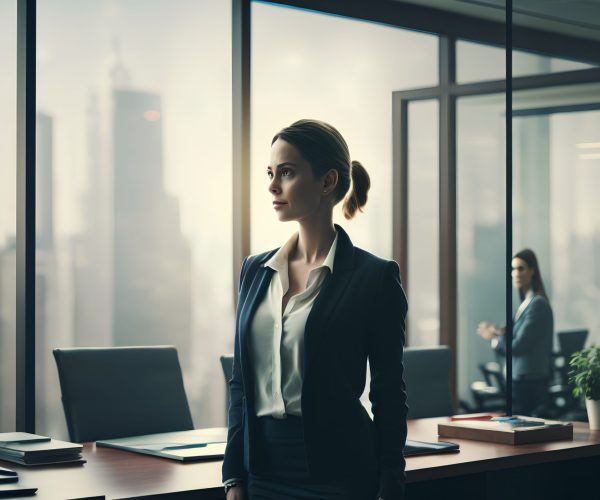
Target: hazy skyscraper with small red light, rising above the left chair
x=151, y=259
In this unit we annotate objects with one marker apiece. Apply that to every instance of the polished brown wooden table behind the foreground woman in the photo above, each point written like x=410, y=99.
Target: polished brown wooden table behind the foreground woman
x=480, y=470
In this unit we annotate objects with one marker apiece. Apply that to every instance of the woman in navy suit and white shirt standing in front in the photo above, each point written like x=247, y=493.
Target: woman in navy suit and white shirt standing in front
x=310, y=314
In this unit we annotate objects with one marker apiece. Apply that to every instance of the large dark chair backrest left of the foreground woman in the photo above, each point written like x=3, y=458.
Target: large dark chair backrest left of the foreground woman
x=118, y=392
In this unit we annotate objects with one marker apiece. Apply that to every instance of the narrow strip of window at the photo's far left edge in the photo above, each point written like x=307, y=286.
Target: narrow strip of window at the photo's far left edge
x=8, y=211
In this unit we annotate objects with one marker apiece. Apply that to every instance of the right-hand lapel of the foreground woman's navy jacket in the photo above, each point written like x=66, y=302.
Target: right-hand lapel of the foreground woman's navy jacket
x=333, y=287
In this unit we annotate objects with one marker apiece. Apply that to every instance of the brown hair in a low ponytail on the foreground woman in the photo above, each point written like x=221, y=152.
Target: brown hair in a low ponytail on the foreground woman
x=321, y=145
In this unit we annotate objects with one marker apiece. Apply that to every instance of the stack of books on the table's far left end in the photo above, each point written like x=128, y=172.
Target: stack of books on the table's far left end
x=30, y=449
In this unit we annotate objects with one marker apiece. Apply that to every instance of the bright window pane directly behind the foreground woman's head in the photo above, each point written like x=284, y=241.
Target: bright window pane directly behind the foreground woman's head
x=343, y=71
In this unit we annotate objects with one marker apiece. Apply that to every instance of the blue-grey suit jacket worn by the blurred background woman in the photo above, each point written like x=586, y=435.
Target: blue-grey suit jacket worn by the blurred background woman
x=532, y=341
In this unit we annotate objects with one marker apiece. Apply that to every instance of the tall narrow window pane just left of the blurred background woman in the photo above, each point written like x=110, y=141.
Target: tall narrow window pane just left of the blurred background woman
x=481, y=230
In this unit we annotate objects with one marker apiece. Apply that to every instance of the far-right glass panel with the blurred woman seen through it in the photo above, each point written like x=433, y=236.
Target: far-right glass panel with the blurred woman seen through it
x=556, y=173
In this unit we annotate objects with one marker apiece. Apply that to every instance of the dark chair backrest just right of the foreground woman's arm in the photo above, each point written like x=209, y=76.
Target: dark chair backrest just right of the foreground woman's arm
x=427, y=376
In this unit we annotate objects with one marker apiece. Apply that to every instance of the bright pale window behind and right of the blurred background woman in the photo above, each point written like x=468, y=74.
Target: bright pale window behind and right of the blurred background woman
x=557, y=173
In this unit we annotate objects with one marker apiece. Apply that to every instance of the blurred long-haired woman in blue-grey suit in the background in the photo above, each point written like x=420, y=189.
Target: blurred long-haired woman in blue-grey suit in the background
x=533, y=327
